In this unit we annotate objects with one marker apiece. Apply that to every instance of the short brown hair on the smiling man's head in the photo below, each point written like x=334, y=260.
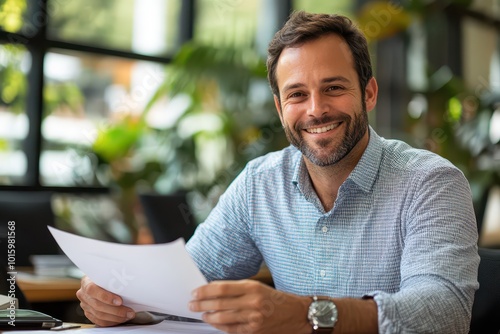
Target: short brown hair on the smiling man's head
x=302, y=27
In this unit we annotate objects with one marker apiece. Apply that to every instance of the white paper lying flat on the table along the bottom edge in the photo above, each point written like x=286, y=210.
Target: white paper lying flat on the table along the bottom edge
x=165, y=327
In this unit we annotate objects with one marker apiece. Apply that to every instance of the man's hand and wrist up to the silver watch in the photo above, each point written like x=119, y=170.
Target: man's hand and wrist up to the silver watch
x=249, y=306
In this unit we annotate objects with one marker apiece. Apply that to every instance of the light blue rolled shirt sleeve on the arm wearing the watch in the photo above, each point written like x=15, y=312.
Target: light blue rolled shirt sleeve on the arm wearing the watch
x=439, y=261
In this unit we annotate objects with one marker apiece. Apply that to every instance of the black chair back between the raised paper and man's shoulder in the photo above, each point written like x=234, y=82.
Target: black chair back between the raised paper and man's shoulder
x=169, y=216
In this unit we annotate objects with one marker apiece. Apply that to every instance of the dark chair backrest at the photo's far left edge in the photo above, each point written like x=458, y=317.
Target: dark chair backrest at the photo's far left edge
x=29, y=213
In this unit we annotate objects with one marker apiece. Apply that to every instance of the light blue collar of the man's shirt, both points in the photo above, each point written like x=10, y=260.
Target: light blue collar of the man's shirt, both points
x=364, y=174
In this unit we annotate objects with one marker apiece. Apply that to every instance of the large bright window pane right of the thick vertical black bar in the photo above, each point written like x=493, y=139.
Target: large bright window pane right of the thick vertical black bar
x=83, y=94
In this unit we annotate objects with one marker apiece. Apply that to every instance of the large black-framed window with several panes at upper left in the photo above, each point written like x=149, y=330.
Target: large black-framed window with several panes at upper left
x=67, y=68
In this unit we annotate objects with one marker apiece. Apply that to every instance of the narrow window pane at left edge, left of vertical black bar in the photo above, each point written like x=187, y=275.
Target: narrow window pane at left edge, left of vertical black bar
x=14, y=64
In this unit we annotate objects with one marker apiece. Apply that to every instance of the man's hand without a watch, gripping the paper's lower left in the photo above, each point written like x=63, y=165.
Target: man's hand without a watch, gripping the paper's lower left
x=102, y=307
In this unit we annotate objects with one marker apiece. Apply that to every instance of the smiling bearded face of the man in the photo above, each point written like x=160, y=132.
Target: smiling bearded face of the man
x=322, y=109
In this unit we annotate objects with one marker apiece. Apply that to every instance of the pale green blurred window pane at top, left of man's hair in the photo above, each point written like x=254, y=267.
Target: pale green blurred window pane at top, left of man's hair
x=227, y=22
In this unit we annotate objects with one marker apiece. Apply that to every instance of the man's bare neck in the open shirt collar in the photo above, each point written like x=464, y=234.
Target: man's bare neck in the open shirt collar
x=327, y=180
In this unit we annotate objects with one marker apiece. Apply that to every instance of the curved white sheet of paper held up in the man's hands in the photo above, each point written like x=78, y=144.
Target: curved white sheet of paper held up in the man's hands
x=157, y=277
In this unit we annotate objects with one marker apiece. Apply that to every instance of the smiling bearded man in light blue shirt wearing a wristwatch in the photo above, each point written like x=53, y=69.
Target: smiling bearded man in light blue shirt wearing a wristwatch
x=361, y=234
